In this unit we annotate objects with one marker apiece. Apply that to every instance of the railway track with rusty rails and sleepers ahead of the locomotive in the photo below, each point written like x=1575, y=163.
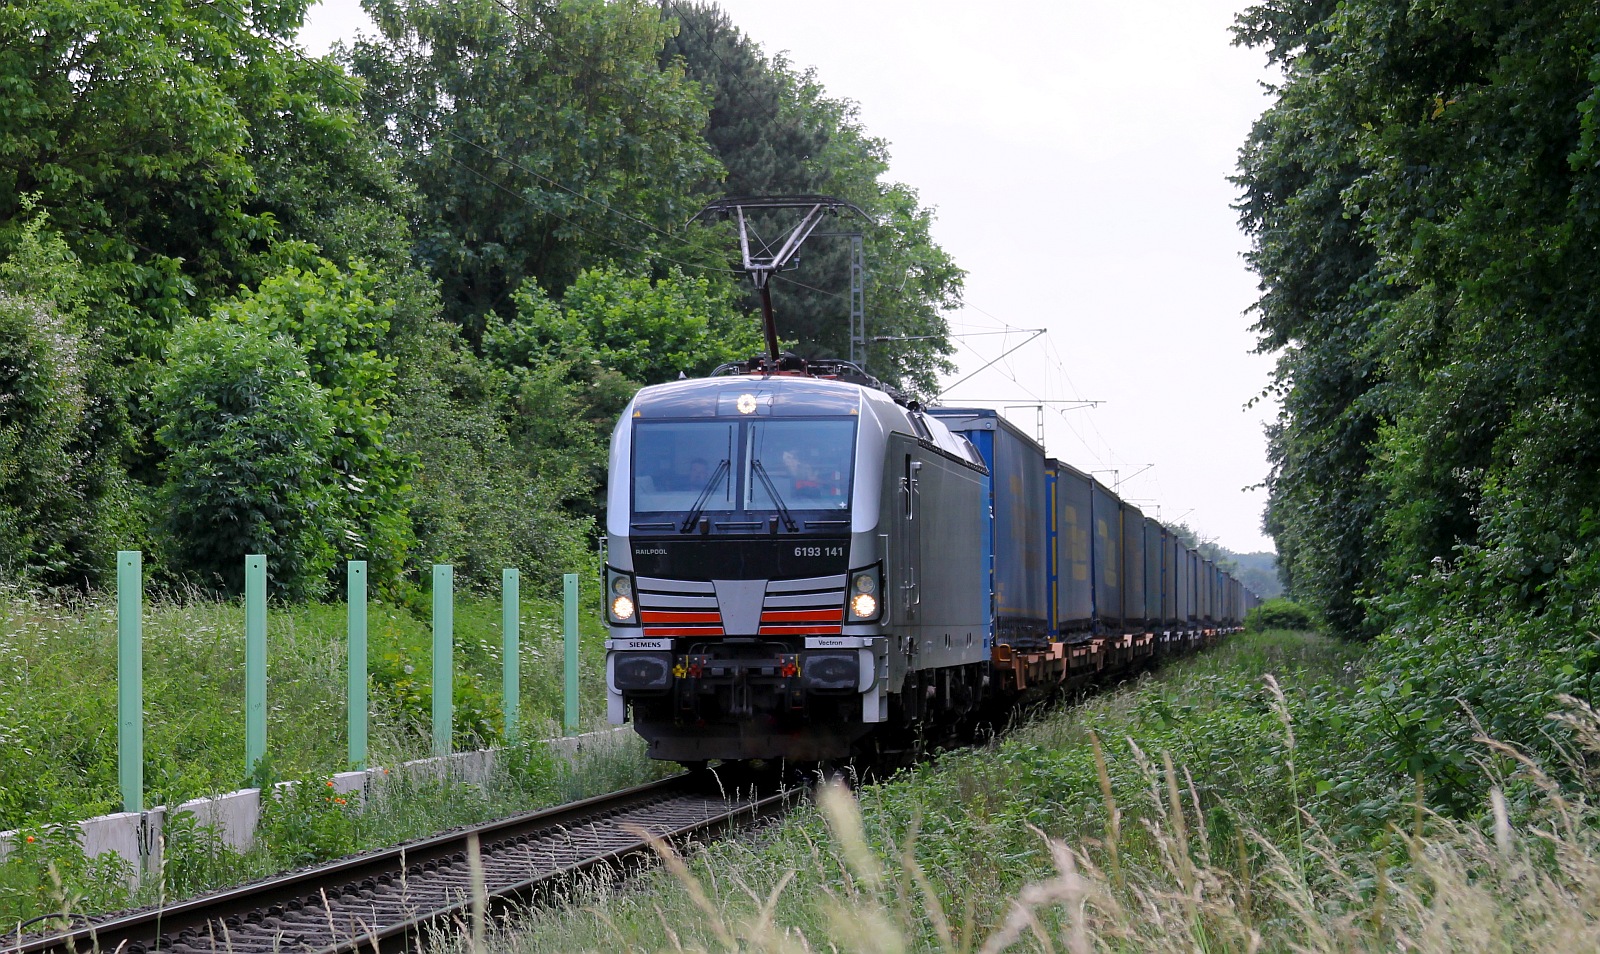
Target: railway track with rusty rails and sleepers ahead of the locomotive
x=388, y=900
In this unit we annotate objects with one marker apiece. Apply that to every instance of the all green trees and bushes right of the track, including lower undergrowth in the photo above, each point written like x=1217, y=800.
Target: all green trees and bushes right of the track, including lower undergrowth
x=1425, y=209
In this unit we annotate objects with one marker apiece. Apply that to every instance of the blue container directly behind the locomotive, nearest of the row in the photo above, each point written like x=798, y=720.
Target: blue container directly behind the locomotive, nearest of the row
x=1020, y=534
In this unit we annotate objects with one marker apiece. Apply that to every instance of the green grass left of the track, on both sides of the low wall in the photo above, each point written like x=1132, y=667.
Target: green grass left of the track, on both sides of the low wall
x=58, y=740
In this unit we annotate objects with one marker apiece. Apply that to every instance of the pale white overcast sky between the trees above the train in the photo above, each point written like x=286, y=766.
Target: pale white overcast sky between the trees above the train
x=1078, y=158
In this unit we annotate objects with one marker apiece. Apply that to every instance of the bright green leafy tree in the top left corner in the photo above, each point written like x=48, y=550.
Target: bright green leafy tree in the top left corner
x=151, y=132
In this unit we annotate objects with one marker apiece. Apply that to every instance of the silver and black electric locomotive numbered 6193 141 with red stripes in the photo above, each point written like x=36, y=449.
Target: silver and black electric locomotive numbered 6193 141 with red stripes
x=775, y=587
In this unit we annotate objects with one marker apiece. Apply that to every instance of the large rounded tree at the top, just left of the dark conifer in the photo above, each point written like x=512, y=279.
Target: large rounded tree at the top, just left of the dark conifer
x=542, y=138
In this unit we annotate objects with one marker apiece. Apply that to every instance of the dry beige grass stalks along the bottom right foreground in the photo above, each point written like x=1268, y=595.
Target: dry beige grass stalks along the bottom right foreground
x=1506, y=886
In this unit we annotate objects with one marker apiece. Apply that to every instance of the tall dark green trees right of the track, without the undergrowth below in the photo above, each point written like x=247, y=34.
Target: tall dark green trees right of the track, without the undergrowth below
x=1423, y=222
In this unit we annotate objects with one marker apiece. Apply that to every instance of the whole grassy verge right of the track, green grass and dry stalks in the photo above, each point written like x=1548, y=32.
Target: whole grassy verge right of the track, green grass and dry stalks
x=1191, y=811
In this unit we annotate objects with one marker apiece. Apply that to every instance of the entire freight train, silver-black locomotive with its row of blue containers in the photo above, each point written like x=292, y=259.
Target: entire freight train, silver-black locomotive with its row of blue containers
x=804, y=566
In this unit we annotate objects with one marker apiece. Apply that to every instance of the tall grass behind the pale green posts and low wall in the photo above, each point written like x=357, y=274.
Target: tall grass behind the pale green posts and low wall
x=58, y=687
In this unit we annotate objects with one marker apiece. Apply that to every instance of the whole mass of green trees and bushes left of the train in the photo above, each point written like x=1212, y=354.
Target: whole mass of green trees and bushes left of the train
x=194, y=164
